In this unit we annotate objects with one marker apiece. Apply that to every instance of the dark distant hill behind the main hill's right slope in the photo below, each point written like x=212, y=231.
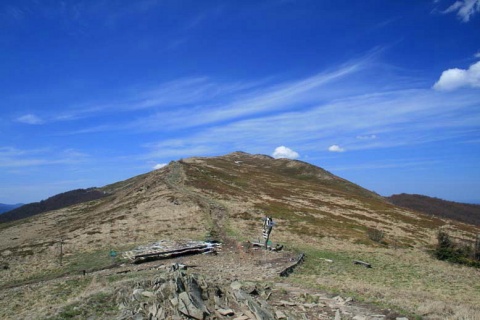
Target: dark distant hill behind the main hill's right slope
x=463, y=212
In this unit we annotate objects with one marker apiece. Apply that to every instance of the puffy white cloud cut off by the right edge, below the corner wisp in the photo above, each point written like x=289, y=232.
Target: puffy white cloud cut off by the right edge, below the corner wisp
x=452, y=79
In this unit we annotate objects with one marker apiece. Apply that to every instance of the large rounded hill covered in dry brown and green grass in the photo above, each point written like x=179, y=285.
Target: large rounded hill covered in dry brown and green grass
x=226, y=197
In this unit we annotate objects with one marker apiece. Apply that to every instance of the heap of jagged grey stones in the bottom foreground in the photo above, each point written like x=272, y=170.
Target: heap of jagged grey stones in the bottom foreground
x=188, y=296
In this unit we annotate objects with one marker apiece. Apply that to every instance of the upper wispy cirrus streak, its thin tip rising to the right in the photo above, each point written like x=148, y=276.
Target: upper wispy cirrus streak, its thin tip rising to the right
x=173, y=103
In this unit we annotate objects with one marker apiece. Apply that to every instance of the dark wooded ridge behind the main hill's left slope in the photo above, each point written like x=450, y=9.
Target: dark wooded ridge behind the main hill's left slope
x=53, y=203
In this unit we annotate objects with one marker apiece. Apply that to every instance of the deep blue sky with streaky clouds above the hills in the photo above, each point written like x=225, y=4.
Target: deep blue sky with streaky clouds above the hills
x=383, y=93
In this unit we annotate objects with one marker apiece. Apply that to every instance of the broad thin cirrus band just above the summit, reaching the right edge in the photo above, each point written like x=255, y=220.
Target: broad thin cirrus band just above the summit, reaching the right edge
x=402, y=117
